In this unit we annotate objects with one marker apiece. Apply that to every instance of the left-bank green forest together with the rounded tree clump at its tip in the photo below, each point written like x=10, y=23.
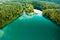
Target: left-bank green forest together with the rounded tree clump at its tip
x=11, y=10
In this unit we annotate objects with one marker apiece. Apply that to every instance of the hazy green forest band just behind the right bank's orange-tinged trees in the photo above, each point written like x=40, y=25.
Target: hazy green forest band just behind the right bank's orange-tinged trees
x=42, y=5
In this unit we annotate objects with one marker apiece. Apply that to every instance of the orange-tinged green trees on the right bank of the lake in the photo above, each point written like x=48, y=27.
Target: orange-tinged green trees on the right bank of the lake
x=52, y=14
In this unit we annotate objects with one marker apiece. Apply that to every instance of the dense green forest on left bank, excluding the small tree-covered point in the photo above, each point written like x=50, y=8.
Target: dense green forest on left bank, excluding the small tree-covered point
x=9, y=12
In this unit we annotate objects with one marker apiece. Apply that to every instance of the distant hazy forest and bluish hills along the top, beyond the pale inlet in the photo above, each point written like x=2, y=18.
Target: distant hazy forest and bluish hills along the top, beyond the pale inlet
x=42, y=4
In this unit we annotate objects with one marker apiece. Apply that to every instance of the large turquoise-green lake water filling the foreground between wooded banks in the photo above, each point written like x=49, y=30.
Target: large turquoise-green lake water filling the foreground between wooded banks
x=31, y=28
